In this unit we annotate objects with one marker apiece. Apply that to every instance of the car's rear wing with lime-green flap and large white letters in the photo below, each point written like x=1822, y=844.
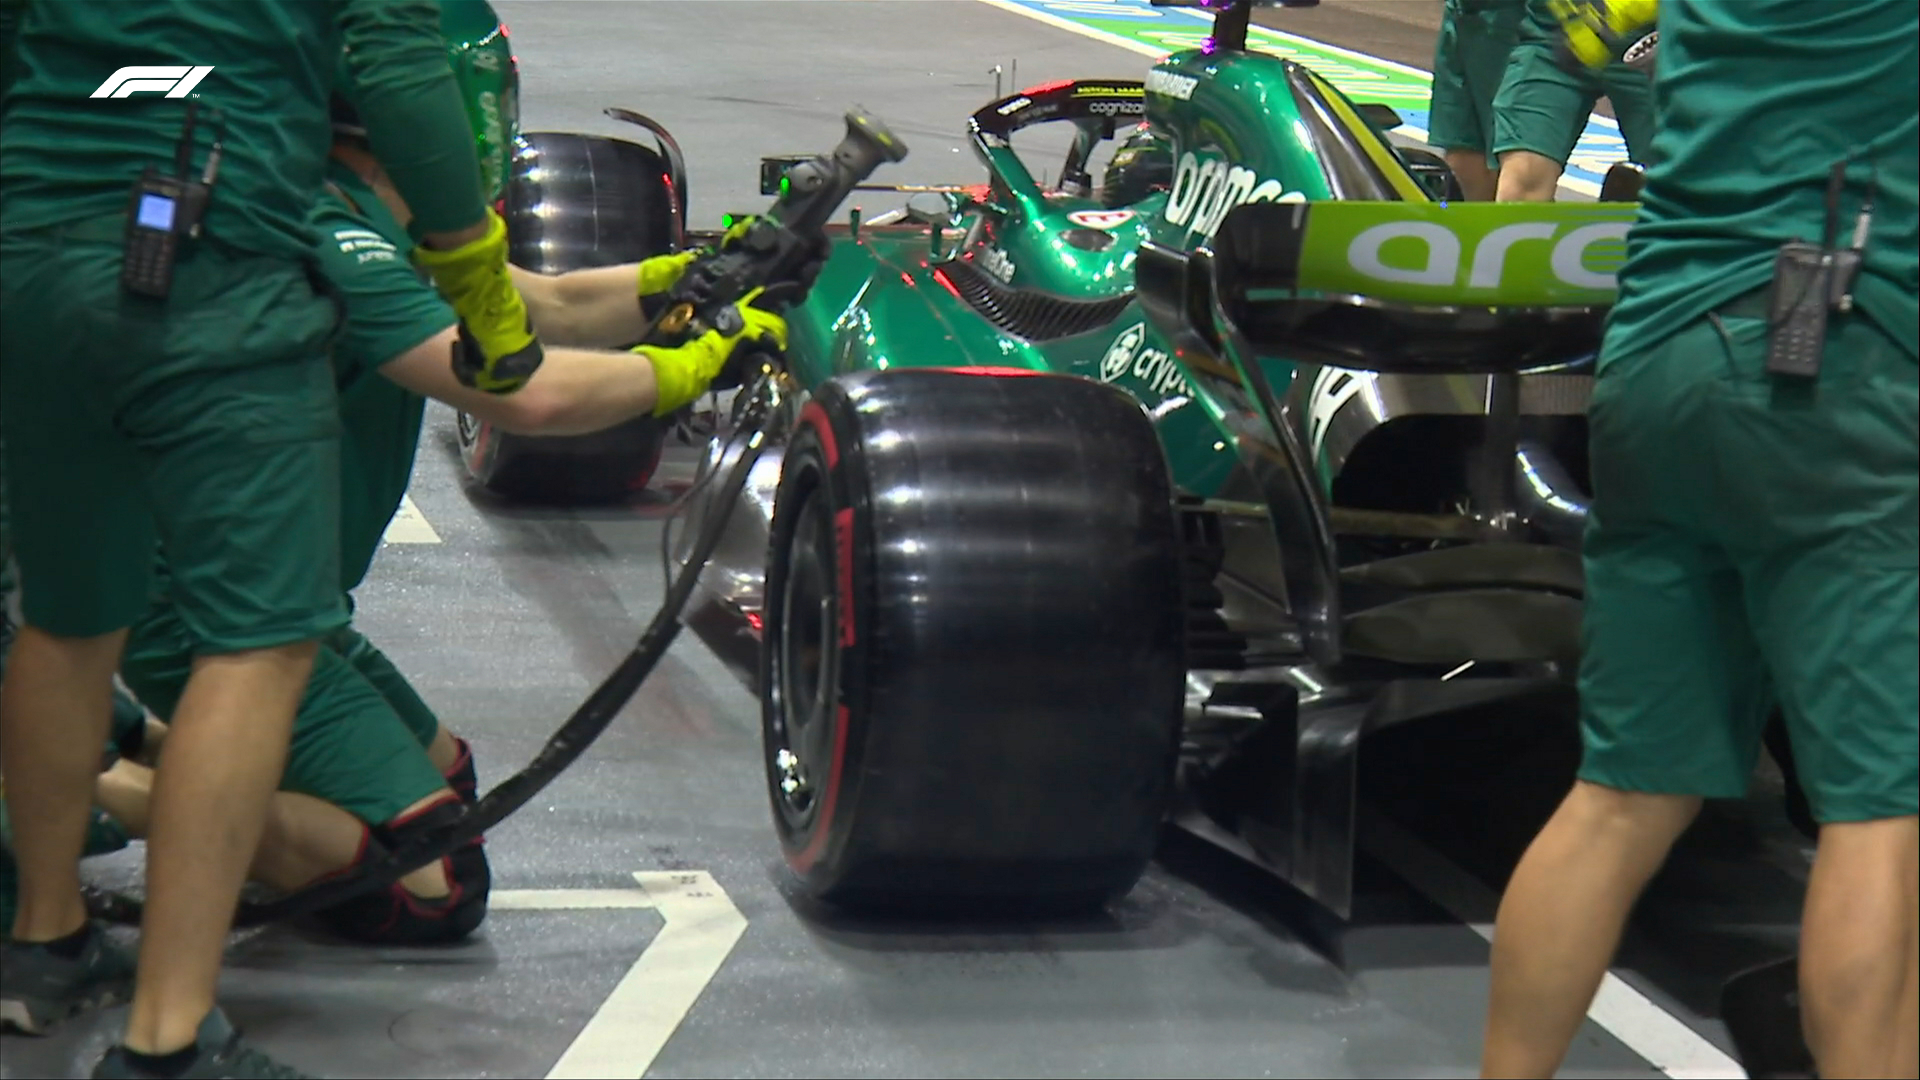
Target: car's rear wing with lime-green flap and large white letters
x=1397, y=287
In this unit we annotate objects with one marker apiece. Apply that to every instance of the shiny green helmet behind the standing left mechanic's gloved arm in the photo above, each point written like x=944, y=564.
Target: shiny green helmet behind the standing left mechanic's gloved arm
x=489, y=78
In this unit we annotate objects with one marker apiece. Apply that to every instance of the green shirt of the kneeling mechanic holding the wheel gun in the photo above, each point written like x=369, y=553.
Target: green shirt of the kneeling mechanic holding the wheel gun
x=366, y=253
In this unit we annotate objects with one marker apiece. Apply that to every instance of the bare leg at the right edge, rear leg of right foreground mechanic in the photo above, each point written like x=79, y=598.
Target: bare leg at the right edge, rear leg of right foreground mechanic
x=1858, y=948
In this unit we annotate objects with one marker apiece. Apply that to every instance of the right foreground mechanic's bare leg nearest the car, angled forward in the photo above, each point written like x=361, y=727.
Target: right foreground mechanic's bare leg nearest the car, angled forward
x=1562, y=920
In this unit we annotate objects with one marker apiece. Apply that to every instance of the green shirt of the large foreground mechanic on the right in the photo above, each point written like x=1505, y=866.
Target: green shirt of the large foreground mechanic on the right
x=1756, y=101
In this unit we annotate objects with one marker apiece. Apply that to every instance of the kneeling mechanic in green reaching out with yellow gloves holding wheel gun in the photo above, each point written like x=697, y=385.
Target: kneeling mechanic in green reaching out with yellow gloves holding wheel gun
x=370, y=758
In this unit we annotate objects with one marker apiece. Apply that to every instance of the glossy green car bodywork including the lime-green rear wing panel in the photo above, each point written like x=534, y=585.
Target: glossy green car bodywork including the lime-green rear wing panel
x=1241, y=128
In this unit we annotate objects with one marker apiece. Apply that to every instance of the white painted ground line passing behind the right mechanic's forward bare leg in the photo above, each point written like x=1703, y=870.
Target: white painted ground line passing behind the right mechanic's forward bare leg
x=1623, y=1012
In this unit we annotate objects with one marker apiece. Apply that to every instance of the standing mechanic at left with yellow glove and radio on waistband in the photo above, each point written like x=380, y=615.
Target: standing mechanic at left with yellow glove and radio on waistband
x=168, y=385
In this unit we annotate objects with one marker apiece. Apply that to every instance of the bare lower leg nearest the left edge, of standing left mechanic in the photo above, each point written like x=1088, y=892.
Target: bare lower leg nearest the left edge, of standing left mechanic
x=55, y=712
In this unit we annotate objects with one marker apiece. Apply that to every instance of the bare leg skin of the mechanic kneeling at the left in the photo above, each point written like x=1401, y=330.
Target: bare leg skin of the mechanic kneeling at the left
x=306, y=839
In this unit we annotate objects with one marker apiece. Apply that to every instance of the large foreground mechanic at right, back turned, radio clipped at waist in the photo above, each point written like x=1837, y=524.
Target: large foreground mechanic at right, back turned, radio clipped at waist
x=1756, y=522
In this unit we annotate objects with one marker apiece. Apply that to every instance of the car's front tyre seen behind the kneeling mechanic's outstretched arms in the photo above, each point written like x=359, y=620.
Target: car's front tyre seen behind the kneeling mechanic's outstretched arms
x=573, y=203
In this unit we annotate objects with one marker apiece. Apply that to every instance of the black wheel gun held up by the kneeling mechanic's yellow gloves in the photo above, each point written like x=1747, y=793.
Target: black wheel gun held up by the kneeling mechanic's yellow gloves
x=779, y=249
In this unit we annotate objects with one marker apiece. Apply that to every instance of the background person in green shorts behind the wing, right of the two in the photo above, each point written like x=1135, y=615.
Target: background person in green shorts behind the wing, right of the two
x=1545, y=101
